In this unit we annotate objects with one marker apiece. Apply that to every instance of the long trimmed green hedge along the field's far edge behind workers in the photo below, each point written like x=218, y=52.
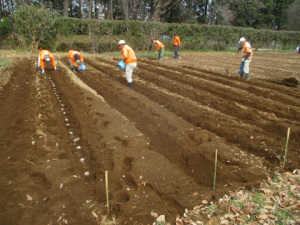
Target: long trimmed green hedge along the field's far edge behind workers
x=105, y=34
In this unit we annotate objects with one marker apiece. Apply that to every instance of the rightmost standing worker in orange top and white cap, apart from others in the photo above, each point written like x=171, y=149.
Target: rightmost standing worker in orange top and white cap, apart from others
x=246, y=58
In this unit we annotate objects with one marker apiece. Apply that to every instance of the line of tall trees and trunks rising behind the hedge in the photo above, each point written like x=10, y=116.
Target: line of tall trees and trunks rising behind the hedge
x=259, y=14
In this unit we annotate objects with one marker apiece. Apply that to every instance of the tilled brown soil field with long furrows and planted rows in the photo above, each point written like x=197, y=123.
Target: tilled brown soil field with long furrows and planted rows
x=157, y=142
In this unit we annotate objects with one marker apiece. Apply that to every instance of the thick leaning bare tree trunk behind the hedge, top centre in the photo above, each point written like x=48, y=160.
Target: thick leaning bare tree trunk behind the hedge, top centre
x=161, y=8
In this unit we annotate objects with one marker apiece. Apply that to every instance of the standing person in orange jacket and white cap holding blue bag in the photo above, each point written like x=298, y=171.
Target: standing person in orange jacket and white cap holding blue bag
x=130, y=60
